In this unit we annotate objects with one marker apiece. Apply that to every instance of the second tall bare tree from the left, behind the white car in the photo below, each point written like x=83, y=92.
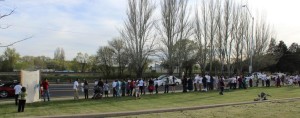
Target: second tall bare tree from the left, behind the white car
x=175, y=26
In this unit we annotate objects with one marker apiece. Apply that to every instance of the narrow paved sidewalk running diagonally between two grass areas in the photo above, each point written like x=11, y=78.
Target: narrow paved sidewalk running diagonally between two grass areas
x=116, y=114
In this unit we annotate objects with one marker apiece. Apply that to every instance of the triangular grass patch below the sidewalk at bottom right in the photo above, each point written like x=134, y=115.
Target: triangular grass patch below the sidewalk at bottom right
x=279, y=109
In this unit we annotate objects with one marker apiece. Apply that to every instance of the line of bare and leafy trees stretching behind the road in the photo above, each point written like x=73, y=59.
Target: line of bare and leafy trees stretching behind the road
x=220, y=36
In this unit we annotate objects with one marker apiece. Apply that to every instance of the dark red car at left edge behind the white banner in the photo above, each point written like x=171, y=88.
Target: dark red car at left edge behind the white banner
x=7, y=90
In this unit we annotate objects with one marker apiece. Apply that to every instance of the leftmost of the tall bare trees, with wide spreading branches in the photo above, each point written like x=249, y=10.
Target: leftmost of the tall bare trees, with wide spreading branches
x=138, y=35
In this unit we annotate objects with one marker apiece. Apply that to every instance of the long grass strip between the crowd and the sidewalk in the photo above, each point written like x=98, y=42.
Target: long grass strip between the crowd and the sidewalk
x=146, y=102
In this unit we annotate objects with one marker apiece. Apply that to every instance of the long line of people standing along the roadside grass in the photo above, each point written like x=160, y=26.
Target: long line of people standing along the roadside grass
x=203, y=83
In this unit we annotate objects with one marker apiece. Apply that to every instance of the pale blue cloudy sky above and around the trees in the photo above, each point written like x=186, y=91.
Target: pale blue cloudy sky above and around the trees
x=85, y=25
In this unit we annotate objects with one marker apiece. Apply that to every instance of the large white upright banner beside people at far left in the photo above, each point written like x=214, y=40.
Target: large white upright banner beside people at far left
x=30, y=80
